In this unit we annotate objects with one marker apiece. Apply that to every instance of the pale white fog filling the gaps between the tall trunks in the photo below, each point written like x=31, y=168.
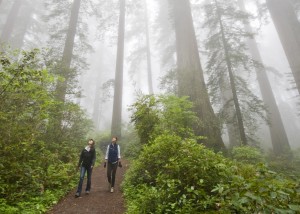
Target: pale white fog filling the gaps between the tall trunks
x=44, y=23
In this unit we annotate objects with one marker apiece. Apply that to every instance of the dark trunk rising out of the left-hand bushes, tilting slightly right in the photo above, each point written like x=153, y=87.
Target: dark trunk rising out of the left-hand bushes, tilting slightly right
x=68, y=51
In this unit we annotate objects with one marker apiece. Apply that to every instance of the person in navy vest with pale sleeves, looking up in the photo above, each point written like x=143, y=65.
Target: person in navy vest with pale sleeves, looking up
x=112, y=161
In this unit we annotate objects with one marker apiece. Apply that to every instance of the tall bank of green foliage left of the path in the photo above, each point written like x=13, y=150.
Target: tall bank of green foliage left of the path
x=37, y=159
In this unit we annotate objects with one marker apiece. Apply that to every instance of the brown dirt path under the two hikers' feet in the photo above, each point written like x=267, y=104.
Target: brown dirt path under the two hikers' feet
x=100, y=200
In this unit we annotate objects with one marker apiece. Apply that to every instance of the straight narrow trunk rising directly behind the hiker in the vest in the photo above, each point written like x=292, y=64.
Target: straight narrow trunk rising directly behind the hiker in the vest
x=118, y=91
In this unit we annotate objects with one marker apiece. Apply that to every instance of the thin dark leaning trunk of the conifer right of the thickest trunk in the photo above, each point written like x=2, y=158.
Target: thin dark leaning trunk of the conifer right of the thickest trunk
x=232, y=82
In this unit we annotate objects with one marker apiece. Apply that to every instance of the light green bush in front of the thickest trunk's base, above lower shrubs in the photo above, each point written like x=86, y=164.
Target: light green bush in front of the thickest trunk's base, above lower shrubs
x=153, y=115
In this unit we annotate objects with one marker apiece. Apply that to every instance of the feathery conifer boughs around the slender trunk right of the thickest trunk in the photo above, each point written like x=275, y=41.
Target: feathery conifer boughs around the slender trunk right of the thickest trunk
x=227, y=53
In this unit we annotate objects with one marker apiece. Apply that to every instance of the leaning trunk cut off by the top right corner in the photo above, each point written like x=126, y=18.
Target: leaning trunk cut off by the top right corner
x=288, y=29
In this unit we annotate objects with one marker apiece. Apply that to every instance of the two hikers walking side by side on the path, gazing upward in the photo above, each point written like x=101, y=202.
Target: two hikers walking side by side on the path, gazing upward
x=87, y=161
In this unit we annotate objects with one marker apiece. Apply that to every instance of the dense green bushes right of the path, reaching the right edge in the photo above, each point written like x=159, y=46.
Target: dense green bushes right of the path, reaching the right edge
x=175, y=175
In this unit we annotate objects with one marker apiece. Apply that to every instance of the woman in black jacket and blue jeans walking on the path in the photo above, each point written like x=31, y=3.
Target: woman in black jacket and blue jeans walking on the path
x=86, y=164
